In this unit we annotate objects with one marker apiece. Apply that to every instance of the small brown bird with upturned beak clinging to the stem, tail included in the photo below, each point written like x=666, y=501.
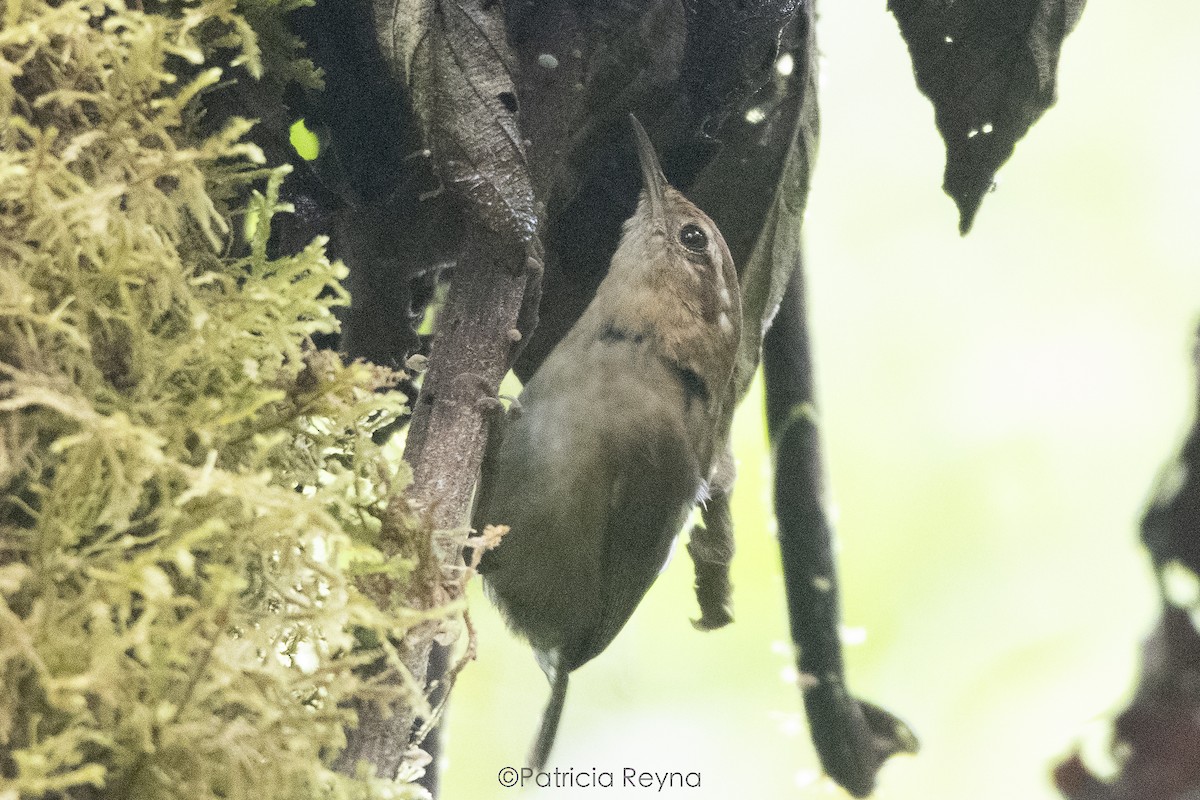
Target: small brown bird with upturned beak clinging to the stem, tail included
x=616, y=437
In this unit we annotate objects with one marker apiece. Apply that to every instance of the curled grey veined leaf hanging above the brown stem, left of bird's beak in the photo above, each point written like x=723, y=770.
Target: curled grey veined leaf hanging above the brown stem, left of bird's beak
x=461, y=75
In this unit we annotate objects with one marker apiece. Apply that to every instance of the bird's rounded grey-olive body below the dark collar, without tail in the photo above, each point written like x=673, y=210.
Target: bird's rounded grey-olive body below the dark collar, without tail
x=596, y=483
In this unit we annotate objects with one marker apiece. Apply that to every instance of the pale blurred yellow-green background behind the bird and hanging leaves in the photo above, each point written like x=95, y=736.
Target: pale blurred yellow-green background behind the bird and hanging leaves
x=995, y=412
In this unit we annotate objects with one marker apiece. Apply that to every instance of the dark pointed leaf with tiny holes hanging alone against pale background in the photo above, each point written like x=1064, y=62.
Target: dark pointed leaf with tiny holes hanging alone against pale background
x=989, y=68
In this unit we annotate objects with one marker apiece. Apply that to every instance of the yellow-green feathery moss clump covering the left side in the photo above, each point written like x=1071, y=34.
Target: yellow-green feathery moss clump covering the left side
x=188, y=489
